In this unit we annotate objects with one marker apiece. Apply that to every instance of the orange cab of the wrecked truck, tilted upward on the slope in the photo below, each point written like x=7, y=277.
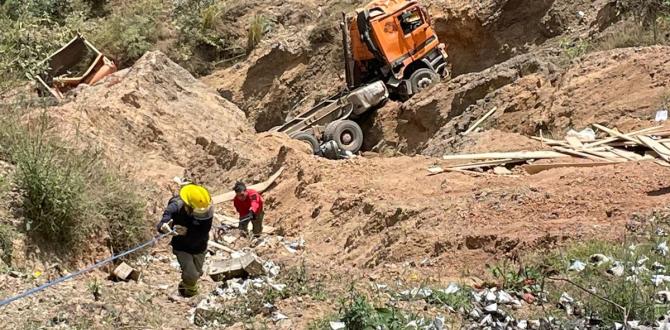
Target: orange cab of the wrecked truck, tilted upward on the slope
x=394, y=40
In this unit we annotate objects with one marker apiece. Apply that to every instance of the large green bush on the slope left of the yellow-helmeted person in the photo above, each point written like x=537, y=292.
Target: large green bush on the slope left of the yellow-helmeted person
x=70, y=196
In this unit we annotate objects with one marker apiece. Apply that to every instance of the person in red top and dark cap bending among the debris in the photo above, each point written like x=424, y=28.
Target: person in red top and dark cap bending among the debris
x=249, y=204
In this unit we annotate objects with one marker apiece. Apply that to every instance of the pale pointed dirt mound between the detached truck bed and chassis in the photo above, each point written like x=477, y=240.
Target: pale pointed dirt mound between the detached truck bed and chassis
x=159, y=121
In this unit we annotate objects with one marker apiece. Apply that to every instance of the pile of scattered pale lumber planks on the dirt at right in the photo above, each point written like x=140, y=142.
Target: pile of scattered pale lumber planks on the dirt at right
x=616, y=147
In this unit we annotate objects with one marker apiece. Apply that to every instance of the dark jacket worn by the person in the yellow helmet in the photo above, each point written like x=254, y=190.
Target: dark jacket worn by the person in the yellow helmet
x=195, y=240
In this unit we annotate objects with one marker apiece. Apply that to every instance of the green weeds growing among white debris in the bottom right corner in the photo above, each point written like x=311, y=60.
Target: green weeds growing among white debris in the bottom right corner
x=615, y=298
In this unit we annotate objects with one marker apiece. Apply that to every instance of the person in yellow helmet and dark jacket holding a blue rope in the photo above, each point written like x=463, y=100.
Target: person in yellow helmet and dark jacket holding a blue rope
x=190, y=215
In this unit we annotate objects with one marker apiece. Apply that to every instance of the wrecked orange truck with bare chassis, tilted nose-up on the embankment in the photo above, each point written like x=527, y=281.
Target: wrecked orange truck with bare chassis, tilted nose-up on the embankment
x=390, y=47
